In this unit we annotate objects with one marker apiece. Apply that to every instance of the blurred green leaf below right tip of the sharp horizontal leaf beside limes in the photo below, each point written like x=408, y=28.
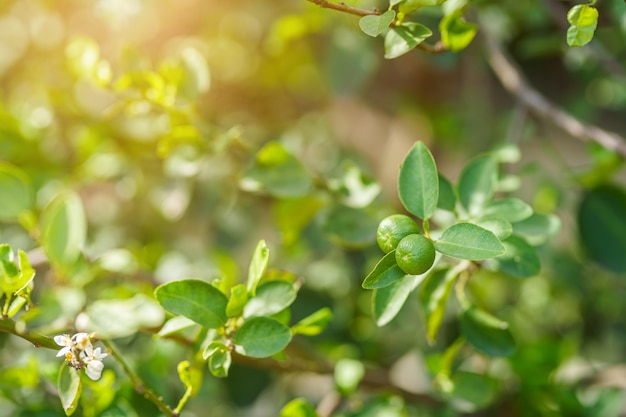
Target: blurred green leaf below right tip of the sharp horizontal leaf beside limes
x=520, y=260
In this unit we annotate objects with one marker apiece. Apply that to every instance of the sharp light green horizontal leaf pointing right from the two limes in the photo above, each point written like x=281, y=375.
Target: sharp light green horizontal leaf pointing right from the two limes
x=469, y=241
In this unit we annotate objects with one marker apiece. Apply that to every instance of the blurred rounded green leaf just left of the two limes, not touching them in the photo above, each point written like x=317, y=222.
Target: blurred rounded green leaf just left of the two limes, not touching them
x=350, y=227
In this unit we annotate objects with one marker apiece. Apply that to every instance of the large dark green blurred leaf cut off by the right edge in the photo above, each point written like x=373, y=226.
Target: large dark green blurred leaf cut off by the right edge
x=602, y=226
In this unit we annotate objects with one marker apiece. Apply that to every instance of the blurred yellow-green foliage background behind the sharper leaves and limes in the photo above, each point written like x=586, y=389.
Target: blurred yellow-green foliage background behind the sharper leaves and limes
x=191, y=129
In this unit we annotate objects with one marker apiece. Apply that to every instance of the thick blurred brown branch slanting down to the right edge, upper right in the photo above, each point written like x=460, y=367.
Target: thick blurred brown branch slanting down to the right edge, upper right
x=513, y=81
